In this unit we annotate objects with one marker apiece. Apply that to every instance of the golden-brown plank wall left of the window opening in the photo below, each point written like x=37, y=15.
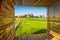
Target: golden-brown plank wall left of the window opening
x=6, y=20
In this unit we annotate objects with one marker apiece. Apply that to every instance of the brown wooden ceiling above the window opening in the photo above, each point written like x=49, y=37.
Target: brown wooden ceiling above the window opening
x=35, y=2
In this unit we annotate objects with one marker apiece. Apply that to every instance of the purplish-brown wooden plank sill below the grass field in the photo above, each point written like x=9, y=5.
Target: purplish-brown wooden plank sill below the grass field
x=33, y=37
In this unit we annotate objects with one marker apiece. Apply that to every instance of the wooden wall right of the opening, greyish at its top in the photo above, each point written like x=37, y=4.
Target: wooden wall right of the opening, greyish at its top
x=54, y=19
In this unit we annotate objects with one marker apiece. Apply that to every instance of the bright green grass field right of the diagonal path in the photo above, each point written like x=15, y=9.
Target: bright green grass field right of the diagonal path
x=31, y=26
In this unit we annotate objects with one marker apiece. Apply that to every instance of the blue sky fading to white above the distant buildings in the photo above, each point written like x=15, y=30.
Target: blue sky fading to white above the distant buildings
x=36, y=11
